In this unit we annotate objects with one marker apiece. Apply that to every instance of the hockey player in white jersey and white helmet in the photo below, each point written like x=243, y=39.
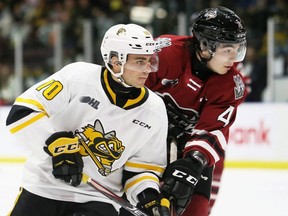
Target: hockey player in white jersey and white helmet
x=98, y=120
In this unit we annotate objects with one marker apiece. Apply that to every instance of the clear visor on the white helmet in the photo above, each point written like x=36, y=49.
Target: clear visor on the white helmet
x=142, y=63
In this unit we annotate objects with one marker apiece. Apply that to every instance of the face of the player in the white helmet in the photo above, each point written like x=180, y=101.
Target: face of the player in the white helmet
x=137, y=69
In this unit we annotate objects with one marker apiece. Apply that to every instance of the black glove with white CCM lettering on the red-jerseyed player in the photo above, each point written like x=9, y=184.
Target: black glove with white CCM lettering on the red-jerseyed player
x=180, y=179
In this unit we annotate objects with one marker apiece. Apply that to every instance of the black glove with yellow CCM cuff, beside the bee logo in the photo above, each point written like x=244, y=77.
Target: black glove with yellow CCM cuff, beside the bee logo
x=67, y=162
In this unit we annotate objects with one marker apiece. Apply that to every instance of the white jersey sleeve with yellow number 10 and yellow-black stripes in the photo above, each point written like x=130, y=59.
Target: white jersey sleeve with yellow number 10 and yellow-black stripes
x=45, y=99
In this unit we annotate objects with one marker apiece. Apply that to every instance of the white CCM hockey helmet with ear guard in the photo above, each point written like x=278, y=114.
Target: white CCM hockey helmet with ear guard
x=121, y=40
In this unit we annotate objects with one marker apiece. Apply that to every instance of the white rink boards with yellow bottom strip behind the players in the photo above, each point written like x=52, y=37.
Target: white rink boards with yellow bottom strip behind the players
x=258, y=138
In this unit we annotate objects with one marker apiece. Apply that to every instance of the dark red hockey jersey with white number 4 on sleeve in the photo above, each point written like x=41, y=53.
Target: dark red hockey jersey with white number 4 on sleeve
x=203, y=109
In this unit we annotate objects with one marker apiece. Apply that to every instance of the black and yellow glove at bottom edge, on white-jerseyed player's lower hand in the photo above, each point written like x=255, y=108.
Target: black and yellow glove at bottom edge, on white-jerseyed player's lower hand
x=153, y=203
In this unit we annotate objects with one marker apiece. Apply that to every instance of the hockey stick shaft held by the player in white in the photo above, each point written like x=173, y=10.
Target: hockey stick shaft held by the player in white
x=106, y=192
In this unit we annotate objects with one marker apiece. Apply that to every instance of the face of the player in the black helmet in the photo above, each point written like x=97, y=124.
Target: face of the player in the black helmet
x=224, y=58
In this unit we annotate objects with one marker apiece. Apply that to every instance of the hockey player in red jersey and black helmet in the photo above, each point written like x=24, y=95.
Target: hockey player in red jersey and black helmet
x=202, y=89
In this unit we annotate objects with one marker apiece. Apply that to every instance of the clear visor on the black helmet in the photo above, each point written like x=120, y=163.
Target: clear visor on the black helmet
x=234, y=52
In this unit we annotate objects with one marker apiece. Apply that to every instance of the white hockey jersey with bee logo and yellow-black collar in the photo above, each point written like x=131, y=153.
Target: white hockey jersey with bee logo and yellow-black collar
x=132, y=137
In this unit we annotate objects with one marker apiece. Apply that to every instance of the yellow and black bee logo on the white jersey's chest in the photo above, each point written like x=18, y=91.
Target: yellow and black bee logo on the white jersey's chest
x=103, y=148
